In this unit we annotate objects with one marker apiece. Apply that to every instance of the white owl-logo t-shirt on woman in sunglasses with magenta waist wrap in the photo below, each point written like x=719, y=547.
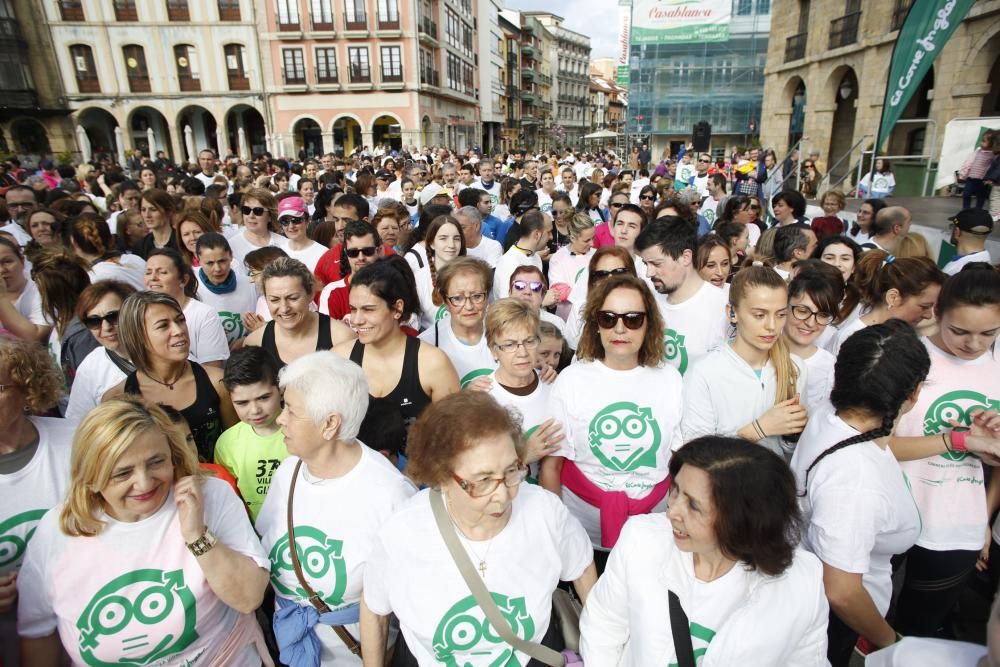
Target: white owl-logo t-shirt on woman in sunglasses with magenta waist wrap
x=621, y=428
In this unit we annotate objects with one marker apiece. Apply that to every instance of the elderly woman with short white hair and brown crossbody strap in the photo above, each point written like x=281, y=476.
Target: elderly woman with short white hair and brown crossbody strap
x=326, y=503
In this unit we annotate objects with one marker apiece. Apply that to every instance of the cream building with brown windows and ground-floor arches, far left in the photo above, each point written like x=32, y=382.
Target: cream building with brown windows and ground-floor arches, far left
x=172, y=76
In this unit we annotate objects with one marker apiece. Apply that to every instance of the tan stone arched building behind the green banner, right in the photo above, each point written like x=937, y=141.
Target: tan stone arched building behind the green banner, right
x=827, y=70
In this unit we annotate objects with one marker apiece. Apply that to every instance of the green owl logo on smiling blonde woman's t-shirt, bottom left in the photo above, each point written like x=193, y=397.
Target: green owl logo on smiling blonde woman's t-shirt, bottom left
x=137, y=619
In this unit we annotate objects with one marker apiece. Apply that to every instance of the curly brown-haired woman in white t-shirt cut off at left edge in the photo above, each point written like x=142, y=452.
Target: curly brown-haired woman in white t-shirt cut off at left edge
x=34, y=465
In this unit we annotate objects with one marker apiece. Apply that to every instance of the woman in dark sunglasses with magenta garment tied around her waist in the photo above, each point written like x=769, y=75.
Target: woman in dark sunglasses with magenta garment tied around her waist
x=620, y=406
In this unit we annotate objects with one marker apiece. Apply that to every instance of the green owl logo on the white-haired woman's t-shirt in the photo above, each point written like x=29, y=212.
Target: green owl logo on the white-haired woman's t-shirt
x=322, y=562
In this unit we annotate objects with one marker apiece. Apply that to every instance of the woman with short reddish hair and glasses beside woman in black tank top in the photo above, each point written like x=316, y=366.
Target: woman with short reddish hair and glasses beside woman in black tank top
x=464, y=285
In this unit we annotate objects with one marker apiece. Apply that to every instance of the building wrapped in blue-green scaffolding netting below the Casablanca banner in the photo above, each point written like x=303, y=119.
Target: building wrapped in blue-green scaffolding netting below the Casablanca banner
x=675, y=86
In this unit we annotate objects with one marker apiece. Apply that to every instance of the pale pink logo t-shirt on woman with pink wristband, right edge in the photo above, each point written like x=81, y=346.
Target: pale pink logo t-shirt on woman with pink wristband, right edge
x=950, y=488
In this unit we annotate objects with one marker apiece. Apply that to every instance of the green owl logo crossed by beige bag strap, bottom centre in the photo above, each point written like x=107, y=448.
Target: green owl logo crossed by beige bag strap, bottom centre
x=465, y=630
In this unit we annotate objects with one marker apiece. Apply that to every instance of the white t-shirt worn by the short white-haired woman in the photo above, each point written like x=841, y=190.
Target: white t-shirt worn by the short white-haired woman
x=336, y=521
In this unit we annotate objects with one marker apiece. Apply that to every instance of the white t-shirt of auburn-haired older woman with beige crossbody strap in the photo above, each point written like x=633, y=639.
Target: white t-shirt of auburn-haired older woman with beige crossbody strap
x=411, y=573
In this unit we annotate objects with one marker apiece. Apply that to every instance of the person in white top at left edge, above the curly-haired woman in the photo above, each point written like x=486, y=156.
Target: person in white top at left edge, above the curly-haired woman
x=20, y=304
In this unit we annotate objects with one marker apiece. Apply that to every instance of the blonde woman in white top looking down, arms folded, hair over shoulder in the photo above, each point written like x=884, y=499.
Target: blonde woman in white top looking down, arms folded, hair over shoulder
x=752, y=387
